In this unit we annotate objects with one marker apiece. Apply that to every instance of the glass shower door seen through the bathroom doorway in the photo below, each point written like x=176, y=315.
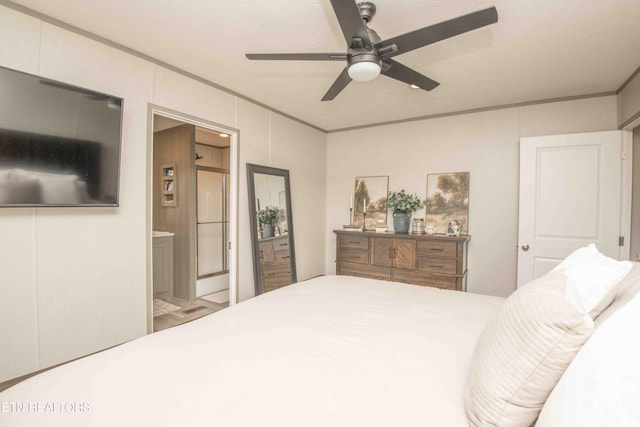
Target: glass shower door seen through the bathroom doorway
x=212, y=221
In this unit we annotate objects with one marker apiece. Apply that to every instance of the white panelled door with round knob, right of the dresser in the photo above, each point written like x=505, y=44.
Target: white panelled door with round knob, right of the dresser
x=570, y=196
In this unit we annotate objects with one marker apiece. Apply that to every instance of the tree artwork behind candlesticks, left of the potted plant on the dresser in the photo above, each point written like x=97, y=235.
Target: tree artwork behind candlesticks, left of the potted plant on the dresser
x=370, y=196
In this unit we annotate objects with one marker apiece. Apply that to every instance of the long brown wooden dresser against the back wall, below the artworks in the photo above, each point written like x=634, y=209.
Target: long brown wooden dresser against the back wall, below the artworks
x=437, y=260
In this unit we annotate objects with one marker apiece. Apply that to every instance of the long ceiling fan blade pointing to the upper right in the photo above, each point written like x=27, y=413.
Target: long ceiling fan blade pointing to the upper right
x=435, y=33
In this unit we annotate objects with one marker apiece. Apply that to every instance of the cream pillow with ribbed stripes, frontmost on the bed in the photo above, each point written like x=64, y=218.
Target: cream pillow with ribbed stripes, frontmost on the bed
x=522, y=353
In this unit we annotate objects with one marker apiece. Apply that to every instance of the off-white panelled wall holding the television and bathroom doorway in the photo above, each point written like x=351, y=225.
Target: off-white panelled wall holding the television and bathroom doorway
x=74, y=281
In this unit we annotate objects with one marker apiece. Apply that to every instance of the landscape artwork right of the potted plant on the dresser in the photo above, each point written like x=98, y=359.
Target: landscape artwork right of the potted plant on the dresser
x=447, y=203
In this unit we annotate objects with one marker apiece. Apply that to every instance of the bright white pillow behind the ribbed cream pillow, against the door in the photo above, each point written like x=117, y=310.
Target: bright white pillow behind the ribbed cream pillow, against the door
x=592, y=278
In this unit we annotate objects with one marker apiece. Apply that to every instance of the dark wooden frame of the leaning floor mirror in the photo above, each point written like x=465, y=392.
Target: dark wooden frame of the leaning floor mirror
x=252, y=169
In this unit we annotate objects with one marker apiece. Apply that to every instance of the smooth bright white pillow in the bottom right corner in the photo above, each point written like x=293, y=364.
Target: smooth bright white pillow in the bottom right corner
x=601, y=387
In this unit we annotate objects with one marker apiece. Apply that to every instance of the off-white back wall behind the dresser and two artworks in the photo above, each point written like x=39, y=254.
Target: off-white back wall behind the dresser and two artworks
x=486, y=144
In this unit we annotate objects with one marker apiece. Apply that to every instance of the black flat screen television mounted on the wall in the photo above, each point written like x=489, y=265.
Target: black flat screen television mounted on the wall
x=59, y=144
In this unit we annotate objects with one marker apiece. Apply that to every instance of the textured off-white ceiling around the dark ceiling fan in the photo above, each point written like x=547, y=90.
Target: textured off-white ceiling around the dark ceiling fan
x=539, y=49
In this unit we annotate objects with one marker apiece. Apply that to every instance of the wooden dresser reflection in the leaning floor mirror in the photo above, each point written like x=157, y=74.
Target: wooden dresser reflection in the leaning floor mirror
x=275, y=262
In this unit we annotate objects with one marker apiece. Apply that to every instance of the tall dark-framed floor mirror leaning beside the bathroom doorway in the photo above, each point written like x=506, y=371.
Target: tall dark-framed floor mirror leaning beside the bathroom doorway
x=274, y=263
